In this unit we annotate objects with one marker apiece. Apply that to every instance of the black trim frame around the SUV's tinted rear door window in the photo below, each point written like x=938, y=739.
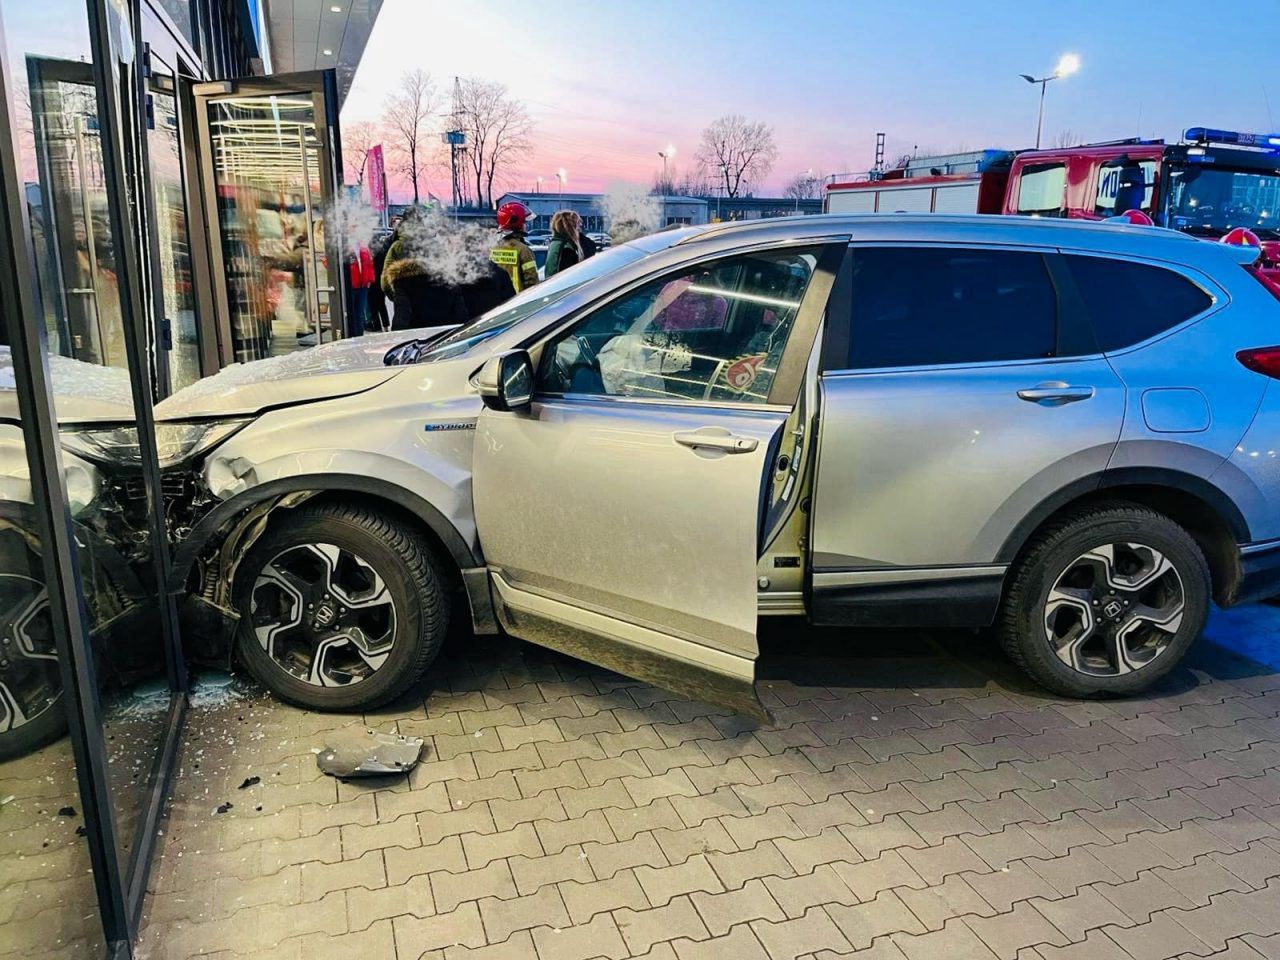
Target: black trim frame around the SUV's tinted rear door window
x=1073, y=321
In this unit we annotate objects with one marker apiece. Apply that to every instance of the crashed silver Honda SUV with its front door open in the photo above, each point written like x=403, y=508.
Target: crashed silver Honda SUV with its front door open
x=1066, y=431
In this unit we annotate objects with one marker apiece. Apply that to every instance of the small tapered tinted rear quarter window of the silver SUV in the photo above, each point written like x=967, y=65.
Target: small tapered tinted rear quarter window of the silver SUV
x=1131, y=303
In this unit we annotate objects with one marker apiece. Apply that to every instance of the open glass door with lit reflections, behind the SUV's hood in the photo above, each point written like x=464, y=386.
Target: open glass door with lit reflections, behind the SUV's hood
x=271, y=172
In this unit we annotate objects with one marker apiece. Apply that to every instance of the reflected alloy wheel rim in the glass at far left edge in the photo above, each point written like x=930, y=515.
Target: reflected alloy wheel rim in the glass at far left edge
x=30, y=680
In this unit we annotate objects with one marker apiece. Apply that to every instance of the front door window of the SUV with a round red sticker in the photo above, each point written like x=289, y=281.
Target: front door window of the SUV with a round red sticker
x=711, y=332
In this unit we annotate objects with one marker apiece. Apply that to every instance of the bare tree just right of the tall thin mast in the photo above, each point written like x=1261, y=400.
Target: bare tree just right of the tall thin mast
x=497, y=129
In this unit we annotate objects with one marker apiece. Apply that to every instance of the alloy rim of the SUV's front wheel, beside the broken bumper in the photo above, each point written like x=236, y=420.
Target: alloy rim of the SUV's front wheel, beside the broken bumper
x=323, y=615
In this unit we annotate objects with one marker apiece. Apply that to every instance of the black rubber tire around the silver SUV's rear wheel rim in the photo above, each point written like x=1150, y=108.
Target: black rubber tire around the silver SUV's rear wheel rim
x=1053, y=552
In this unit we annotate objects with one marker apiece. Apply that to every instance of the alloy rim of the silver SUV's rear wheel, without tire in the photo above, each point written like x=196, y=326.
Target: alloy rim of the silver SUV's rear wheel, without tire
x=1114, y=610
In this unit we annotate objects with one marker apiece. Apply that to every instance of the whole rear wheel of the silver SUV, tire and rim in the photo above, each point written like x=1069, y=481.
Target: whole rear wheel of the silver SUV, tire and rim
x=1107, y=601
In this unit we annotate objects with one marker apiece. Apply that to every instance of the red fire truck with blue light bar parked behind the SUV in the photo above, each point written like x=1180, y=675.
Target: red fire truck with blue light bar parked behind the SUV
x=1208, y=186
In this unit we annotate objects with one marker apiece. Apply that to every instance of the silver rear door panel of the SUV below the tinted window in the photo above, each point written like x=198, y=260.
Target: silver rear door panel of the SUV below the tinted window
x=936, y=468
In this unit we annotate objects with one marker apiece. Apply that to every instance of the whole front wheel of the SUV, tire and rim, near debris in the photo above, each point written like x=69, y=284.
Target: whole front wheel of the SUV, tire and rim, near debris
x=342, y=609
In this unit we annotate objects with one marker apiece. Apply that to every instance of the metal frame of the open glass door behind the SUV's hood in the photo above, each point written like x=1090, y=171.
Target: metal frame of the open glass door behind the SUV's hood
x=323, y=89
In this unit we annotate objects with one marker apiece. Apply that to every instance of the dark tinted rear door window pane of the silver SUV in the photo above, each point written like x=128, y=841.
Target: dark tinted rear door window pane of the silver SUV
x=920, y=307
